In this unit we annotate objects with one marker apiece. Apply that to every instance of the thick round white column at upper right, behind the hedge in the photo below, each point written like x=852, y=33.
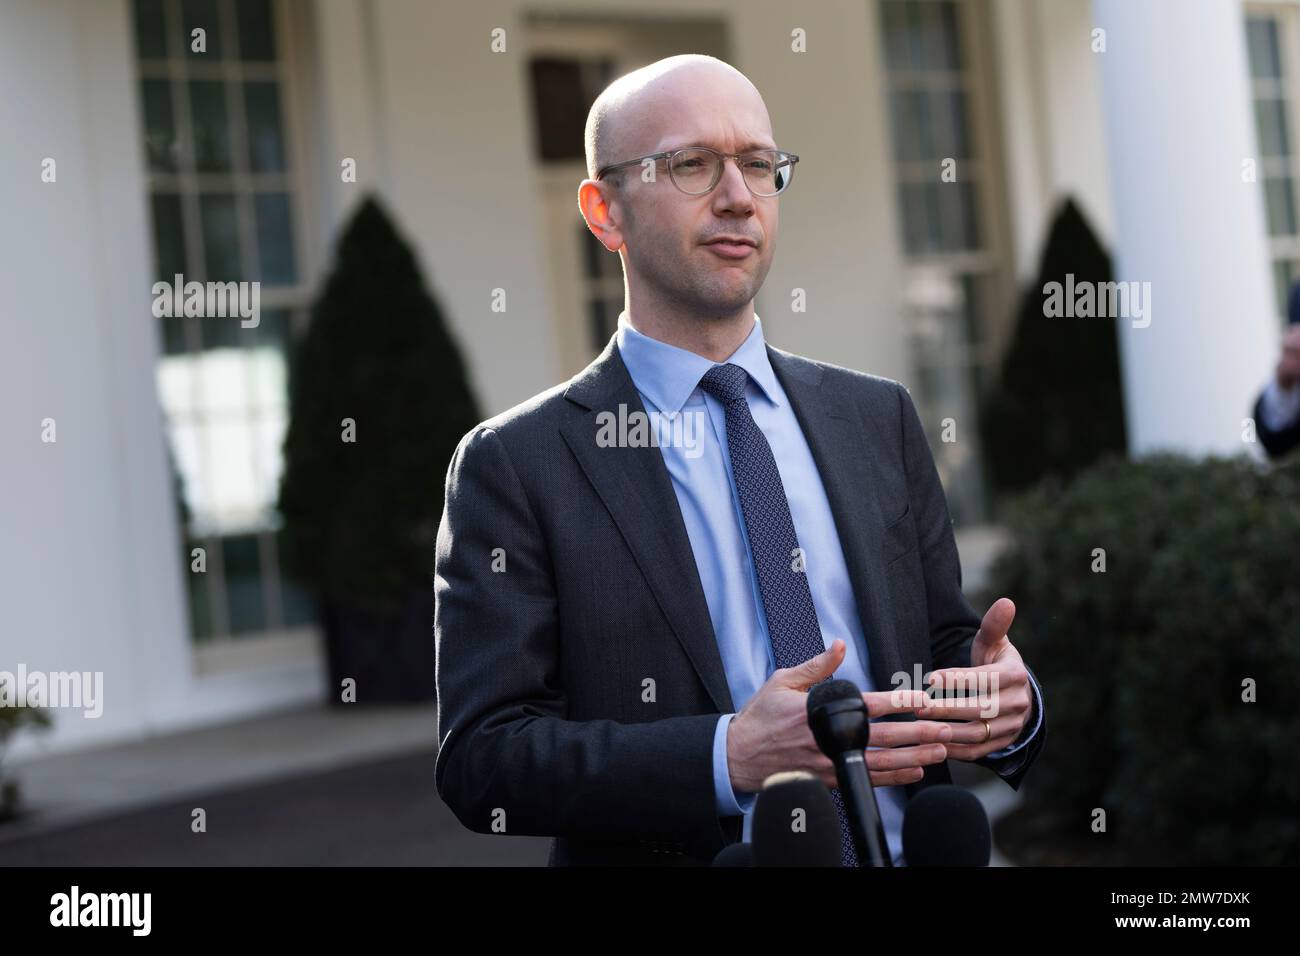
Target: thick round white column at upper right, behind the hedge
x=1180, y=124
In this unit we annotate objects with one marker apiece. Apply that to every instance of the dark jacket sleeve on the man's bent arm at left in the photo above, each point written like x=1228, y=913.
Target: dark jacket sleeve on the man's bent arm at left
x=510, y=760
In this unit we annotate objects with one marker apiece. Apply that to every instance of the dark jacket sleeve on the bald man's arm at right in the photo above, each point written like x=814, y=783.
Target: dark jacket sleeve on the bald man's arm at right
x=954, y=622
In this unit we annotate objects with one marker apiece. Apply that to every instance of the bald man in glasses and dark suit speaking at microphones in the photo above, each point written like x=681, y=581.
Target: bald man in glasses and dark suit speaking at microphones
x=627, y=631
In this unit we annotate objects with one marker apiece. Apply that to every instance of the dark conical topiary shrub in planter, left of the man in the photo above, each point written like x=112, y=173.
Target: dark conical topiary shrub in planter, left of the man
x=379, y=400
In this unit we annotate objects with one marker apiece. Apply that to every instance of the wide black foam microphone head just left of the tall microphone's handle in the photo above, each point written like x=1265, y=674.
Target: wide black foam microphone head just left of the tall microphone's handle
x=795, y=823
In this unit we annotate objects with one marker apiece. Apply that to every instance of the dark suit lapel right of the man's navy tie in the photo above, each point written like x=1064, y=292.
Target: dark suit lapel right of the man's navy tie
x=839, y=442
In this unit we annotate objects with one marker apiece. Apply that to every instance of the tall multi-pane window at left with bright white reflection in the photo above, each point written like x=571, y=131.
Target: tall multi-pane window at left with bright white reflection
x=224, y=201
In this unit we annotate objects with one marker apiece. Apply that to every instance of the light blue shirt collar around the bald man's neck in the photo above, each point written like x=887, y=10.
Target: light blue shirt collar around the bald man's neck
x=669, y=375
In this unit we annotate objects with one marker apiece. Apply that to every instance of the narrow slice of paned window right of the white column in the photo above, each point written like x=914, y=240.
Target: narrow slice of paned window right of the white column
x=1271, y=38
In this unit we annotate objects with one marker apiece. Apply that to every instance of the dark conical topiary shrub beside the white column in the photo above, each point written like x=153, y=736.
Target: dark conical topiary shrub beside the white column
x=1058, y=405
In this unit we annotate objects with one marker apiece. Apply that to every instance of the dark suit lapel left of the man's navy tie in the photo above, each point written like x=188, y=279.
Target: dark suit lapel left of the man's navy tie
x=636, y=488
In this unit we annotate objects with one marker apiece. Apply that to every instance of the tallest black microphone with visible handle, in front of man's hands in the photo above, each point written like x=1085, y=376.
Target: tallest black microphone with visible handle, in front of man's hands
x=842, y=728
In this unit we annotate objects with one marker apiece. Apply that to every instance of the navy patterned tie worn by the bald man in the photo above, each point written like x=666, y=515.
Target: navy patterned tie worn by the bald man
x=787, y=599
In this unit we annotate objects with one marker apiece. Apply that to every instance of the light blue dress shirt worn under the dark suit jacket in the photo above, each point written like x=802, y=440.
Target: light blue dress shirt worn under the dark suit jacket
x=699, y=464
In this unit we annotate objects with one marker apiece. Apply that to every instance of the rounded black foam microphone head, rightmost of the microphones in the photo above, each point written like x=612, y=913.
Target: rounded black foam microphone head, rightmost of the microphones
x=946, y=827
